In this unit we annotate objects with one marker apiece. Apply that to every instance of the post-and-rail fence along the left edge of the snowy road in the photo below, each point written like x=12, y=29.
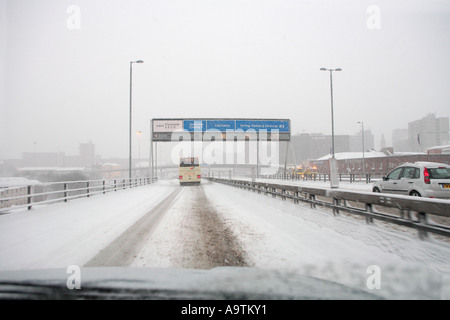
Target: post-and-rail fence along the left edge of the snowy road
x=46, y=193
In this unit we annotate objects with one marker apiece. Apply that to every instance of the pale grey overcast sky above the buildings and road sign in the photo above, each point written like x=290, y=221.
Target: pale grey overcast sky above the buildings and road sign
x=65, y=66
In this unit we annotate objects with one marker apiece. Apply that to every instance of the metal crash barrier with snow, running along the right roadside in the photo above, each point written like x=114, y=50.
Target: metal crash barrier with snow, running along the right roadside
x=412, y=212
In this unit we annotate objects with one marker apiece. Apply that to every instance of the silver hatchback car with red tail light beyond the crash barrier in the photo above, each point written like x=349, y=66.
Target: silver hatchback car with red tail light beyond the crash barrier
x=421, y=179
